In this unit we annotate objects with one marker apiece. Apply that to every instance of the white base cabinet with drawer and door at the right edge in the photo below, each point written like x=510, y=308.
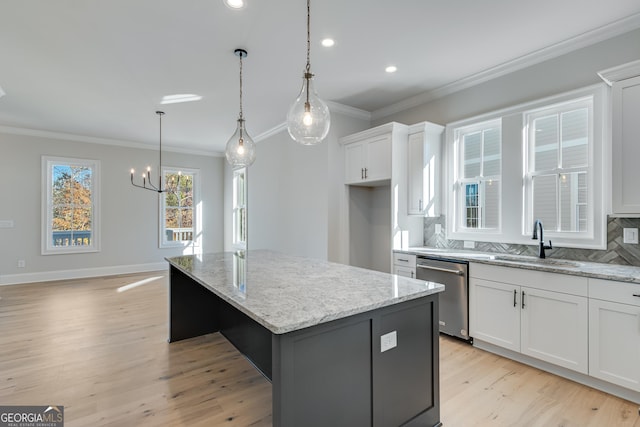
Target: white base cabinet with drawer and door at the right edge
x=614, y=332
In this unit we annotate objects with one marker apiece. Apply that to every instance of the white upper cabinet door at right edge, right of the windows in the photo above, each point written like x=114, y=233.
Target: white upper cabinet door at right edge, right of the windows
x=626, y=146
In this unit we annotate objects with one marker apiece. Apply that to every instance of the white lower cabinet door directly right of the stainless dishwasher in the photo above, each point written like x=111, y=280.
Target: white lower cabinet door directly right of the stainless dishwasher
x=495, y=313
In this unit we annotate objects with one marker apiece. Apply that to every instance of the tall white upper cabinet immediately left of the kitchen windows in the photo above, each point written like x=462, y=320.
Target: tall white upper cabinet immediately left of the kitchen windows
x=424, y=169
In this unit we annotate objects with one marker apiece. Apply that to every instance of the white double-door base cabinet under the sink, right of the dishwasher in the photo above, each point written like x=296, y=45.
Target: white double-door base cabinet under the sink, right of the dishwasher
x=539, y=314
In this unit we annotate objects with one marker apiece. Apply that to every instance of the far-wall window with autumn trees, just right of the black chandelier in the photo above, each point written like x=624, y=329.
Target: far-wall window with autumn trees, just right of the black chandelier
x=179, y=225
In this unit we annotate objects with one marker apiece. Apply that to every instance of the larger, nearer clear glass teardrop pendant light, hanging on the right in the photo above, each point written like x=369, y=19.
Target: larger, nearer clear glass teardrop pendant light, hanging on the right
x=308, y=119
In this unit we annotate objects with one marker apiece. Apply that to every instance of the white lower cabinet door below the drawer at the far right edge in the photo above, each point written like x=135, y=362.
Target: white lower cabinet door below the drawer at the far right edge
x=614, y=343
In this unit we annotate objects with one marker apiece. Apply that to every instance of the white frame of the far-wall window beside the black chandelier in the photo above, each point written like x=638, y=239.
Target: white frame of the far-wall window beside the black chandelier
x=196, y=241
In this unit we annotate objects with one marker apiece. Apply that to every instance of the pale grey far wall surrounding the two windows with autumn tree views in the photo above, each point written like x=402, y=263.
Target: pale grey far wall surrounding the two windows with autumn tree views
x=129, y=216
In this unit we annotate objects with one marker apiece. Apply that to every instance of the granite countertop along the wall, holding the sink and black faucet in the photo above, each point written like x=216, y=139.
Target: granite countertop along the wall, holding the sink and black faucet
x=622, y=273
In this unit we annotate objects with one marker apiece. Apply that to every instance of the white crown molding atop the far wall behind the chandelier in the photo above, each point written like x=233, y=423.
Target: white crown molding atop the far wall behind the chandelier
x=104, y=141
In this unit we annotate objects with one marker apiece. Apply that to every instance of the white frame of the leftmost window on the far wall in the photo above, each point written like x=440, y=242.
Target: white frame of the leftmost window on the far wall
x=47, y=246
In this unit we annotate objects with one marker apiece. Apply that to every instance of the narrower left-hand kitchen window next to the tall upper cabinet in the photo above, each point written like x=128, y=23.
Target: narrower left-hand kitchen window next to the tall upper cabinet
x=478, y=176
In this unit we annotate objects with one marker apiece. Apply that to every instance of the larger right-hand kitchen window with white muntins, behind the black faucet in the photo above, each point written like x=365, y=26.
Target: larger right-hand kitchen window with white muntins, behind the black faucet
x=558, y=167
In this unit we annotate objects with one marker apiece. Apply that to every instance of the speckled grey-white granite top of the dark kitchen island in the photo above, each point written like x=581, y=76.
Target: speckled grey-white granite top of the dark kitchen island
x=286, y=293
